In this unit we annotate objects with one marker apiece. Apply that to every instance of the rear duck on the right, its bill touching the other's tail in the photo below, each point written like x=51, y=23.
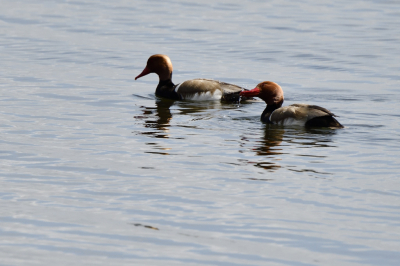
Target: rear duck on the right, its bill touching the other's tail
x=295, y=114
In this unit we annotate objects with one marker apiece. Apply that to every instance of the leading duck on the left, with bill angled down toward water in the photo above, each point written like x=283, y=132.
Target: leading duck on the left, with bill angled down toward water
x=194, y=89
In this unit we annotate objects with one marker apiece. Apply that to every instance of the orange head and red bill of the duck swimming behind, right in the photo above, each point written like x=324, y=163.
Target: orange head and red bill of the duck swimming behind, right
x=269, y=91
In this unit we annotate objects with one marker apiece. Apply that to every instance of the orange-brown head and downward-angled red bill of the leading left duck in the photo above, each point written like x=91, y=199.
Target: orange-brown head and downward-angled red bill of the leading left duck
x=159, y=64
